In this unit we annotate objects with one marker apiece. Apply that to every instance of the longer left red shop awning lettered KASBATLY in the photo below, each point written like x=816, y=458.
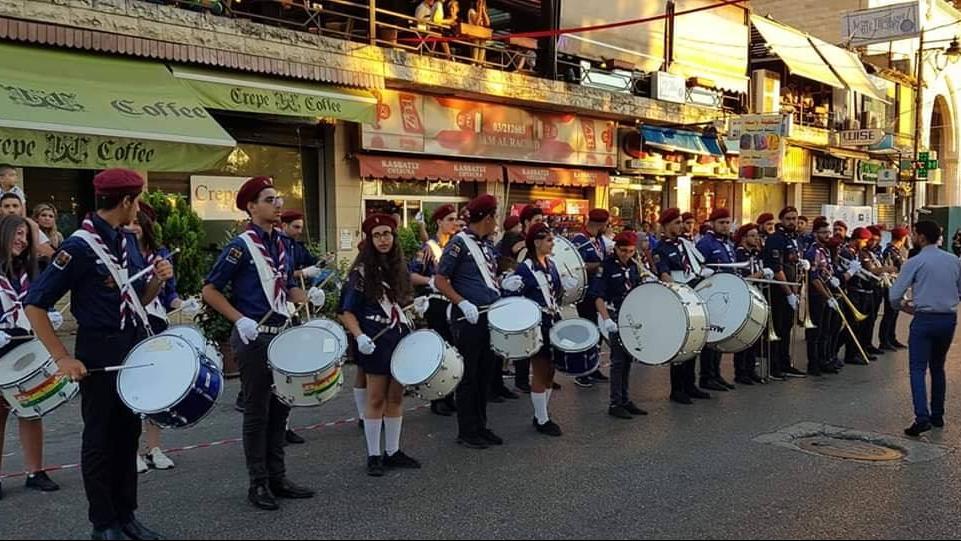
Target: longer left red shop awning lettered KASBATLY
x=401, y=168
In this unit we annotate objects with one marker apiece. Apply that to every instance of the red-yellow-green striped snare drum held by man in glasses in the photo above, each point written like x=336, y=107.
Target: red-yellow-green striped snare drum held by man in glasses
x=306, y=365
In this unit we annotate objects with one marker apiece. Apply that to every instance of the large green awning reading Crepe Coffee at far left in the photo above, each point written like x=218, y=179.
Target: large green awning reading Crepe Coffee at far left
x=78, y=111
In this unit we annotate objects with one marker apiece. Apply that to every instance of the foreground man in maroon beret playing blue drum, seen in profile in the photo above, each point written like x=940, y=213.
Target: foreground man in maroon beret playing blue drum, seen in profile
x=94, y=265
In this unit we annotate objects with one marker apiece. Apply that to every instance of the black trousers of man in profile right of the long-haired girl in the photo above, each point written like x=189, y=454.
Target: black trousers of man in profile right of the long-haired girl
x=473, y=342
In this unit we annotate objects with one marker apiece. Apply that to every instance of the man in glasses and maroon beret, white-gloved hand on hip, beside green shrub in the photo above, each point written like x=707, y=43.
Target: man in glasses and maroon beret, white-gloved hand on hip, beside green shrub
x=258, y=266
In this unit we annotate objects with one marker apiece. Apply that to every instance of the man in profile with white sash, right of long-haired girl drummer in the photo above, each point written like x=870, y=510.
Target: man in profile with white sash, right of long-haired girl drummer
x=465, y=275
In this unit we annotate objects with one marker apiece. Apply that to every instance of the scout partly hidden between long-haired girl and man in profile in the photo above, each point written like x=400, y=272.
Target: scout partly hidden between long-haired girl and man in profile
x=422, y=270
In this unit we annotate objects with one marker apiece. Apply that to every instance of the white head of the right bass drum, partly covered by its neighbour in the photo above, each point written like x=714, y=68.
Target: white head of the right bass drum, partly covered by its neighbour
x=728, y=302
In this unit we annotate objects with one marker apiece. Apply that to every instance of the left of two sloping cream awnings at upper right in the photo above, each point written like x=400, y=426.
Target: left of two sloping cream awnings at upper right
x=795, y=49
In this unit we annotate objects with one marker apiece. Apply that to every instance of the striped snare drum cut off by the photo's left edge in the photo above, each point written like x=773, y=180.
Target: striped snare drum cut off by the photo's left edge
x=30, y=384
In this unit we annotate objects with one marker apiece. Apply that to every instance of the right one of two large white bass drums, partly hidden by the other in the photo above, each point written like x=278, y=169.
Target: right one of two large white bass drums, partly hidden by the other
x=736, y=310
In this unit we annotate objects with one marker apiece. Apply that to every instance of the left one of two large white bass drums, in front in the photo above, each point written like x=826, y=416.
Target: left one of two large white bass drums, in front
x=661, y=323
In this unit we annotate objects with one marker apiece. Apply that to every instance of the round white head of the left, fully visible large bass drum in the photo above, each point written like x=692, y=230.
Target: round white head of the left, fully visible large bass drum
x=653, y=324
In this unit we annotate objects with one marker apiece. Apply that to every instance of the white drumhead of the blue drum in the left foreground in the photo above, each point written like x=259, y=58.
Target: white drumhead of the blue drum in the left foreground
x=158, y=387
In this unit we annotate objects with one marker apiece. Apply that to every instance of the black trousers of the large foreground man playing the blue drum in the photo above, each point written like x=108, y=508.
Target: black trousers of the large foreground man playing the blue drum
x=111, y=432
